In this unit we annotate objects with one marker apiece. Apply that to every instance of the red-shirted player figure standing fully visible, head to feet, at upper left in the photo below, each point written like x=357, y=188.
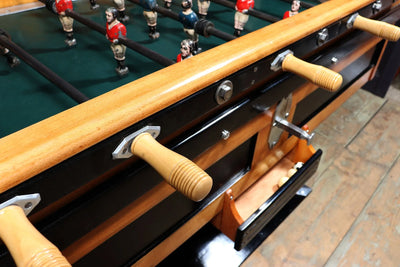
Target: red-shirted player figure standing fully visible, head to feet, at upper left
x=115, y=30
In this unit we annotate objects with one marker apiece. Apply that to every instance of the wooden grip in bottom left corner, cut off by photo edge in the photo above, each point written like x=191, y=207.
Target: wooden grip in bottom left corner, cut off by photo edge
x=27, y=246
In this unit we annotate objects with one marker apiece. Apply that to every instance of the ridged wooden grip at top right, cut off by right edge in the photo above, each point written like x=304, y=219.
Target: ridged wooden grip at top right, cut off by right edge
x=379, y=28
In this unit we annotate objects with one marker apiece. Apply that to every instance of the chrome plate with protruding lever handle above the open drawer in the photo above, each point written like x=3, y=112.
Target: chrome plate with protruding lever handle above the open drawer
x=280, y=124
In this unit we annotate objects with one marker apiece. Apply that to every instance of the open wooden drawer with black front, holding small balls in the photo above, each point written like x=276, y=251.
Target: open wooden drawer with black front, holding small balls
x=241, y=219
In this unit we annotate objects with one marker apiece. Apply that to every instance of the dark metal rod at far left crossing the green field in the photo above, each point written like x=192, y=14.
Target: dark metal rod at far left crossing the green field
x=43, y=70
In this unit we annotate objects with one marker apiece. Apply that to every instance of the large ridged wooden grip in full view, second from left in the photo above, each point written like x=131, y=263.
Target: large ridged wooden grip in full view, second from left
x=178, y=171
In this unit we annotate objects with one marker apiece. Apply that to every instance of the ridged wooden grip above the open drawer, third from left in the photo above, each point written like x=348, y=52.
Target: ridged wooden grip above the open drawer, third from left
x=319, y=75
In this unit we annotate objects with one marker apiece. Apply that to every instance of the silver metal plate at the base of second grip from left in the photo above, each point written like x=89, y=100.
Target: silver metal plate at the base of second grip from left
x=123, y=151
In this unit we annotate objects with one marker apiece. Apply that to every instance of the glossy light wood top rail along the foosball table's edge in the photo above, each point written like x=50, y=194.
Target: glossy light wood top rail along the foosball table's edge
x=70, y=132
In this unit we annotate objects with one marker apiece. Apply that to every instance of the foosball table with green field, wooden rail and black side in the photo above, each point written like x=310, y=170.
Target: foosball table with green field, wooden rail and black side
x=124, y=170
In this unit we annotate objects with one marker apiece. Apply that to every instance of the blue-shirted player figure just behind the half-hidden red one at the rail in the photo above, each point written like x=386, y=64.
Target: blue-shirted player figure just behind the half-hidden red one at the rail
x=188, y=18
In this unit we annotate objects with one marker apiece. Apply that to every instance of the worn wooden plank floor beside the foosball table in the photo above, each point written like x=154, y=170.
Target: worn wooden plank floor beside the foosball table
x=352, y=217
